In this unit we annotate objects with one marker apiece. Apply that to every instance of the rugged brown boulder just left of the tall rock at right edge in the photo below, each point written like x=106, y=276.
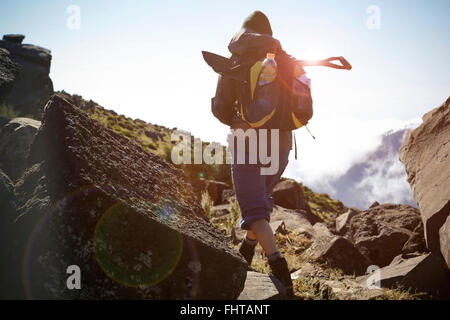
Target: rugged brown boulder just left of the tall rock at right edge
x=380, y=233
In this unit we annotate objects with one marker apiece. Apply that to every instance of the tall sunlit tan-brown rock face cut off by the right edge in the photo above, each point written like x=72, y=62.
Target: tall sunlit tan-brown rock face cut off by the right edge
x=425, y=154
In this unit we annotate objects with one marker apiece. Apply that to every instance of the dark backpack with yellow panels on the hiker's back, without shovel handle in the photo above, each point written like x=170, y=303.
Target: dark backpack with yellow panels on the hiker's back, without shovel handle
x=284, y=103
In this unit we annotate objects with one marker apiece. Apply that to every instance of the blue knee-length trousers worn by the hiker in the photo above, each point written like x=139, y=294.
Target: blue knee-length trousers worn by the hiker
x=254, y=191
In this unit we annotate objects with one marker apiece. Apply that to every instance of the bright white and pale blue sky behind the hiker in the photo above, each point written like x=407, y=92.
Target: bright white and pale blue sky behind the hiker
x=143, y=59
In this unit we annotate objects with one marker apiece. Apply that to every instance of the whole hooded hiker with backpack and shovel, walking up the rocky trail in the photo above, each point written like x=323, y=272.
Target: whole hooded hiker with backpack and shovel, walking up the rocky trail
x=262, y=94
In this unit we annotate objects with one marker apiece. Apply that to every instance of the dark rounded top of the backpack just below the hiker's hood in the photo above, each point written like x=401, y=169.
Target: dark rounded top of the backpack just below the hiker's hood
x=248, y=41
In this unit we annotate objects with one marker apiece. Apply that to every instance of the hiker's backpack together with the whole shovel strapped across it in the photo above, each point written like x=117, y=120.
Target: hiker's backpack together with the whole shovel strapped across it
x=274, y=91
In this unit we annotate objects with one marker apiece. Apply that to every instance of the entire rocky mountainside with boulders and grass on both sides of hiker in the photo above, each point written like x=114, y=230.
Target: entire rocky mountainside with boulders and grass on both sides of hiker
x=81, y=185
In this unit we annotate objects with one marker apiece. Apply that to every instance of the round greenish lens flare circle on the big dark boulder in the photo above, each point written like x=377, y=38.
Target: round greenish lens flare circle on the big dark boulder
x=135, y=250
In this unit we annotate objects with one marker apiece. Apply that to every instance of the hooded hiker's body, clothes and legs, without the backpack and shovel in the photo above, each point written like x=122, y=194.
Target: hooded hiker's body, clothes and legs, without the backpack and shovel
x=253, y=190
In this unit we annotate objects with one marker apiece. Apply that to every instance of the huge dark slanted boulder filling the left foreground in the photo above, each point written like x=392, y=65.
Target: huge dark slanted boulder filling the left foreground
x=126, y=217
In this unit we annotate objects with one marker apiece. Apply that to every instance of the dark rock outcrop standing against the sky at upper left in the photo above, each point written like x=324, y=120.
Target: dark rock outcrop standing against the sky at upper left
x=32, y=86
